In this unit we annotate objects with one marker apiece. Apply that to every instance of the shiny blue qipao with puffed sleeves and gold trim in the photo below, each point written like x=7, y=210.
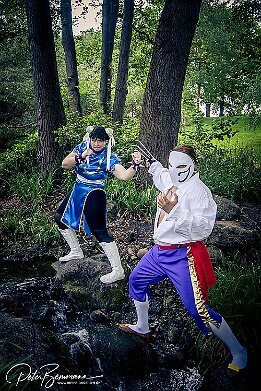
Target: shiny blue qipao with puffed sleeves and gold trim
x=90, y=175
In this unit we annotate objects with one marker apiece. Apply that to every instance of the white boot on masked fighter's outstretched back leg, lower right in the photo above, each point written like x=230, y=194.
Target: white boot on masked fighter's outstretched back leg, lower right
x=239, y=354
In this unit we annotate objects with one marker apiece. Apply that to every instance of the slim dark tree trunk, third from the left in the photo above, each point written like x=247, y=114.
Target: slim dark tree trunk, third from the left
x=110, y=9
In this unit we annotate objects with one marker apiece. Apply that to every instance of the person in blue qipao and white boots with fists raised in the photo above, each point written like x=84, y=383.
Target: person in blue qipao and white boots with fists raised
x=92, y=161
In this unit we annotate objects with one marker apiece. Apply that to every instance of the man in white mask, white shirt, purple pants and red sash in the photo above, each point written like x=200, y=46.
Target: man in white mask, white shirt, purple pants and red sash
x=185, y=217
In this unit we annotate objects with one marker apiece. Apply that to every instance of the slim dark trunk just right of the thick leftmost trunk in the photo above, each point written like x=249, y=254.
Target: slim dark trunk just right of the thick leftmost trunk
x=70, y=55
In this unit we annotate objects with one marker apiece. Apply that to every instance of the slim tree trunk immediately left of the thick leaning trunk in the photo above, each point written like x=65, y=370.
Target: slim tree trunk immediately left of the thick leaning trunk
x=123, y=67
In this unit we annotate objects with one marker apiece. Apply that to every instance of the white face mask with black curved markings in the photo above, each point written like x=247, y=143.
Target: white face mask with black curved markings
x=180, y=175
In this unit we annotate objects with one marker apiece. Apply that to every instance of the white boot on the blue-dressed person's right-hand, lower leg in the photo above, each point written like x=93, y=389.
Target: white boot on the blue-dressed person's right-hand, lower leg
x=113, y=256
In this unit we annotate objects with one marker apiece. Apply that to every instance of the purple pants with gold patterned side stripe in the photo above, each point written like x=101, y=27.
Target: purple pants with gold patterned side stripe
x=178, y=265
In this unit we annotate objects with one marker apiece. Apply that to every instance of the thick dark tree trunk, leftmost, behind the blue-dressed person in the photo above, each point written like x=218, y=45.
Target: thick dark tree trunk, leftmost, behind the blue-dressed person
x=49, y=105
